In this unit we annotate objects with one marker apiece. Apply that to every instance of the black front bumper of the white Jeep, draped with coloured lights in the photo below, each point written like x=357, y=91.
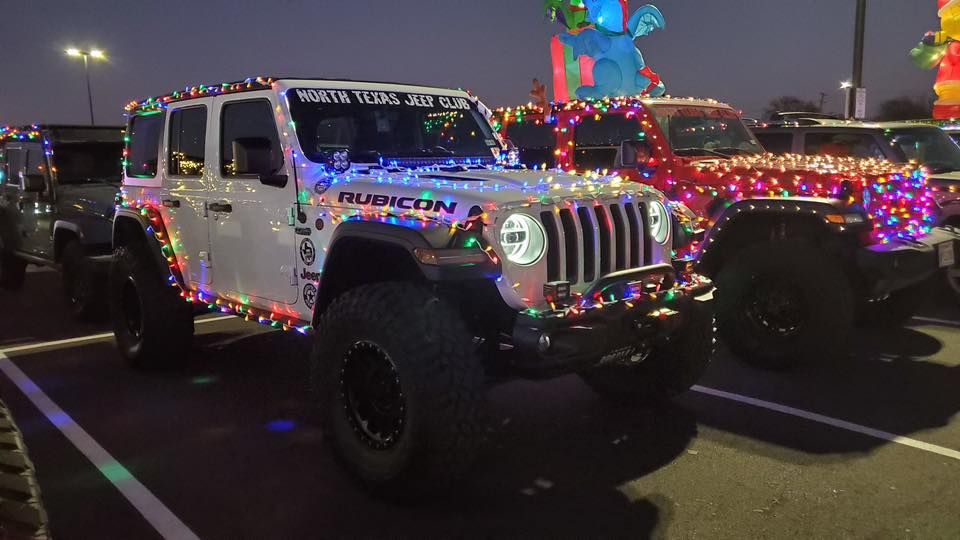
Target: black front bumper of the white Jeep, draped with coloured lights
x=598, y=329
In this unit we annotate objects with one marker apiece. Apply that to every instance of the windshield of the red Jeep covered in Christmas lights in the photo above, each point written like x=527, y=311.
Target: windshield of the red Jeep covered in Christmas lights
x=705, y=131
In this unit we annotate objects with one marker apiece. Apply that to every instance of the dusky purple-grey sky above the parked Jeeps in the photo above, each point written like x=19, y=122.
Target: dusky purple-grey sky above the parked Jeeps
x=745, y=52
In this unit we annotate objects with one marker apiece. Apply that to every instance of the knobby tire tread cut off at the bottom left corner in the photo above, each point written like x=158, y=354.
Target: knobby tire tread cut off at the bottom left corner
x=22, y=514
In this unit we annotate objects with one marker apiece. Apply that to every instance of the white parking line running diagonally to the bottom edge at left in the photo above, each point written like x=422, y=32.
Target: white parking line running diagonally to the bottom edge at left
x=154, y=511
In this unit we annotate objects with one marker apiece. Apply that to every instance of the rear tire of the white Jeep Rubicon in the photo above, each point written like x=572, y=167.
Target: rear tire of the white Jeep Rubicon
x=165, y=320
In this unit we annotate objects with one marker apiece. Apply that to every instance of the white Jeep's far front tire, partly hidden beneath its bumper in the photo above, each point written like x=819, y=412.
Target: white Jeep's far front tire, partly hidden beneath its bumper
x=671, y=369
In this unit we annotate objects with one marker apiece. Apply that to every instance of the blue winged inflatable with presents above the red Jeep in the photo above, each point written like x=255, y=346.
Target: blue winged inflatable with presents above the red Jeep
x=596, y=57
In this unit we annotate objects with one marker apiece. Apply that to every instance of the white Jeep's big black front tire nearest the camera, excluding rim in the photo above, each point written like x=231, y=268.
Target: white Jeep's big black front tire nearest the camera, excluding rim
x=439, y=375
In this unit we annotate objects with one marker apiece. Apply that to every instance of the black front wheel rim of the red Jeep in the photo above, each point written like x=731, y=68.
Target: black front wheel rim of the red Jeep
x=777, y=307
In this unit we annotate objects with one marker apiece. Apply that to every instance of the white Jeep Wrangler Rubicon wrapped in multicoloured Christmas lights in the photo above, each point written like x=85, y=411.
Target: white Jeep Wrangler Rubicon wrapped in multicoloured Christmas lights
x=383, y=219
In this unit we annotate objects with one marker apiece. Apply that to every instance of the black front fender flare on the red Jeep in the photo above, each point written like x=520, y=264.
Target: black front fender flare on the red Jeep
x=809, y=209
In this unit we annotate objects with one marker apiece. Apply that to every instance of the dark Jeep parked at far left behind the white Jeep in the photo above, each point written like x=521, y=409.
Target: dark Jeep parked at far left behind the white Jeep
x=58, y=189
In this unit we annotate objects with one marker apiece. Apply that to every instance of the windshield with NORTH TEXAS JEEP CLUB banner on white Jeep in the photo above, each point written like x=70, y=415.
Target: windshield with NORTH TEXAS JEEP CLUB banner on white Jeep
x=376, y=125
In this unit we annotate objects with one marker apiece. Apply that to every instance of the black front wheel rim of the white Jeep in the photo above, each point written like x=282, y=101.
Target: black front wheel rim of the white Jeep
x=372, y=397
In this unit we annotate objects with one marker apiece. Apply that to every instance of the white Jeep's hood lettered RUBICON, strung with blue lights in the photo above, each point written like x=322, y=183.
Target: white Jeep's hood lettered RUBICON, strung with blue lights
x=454, y=191
